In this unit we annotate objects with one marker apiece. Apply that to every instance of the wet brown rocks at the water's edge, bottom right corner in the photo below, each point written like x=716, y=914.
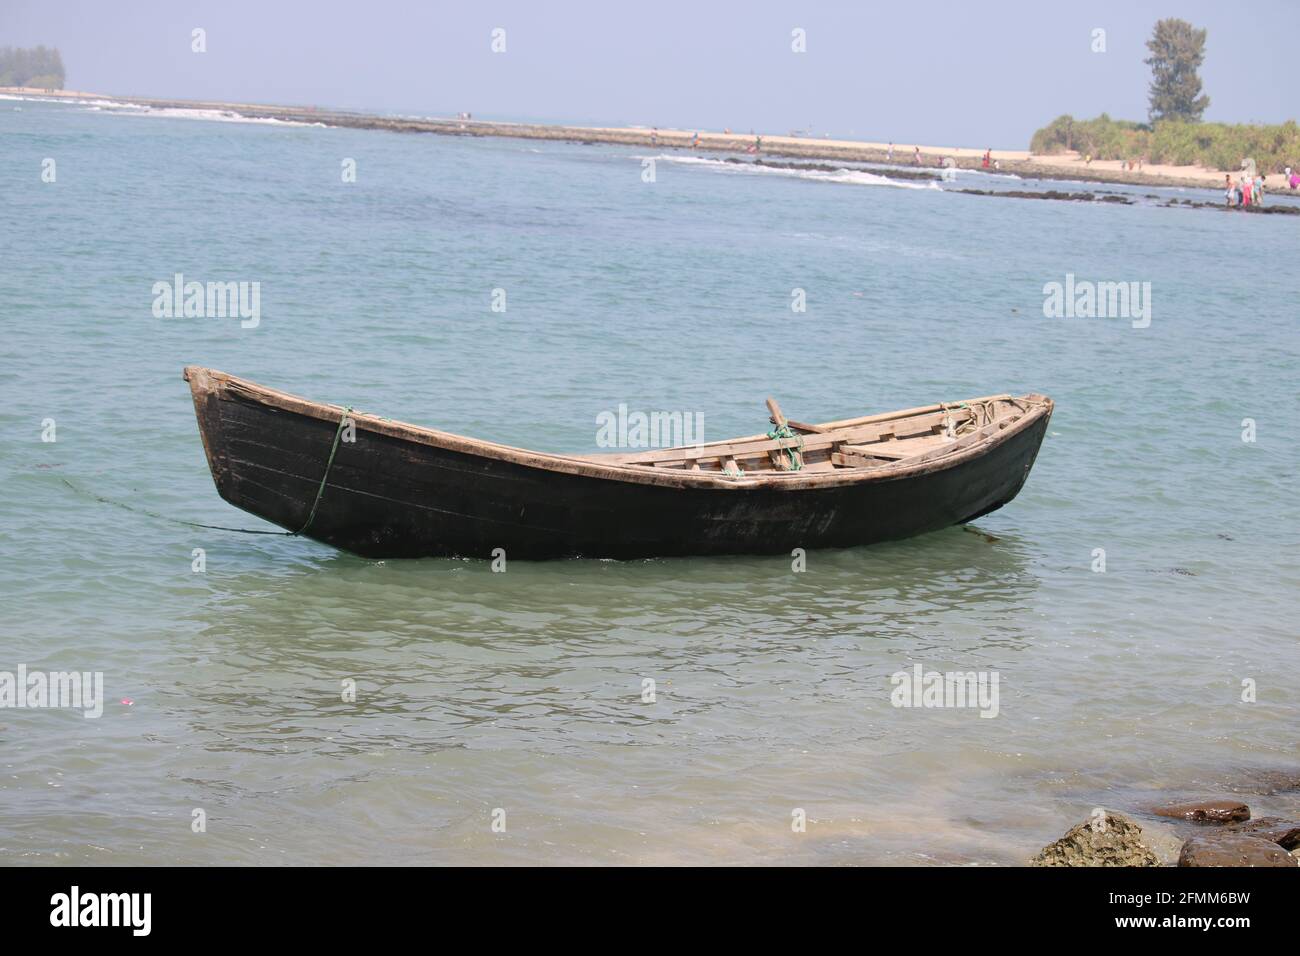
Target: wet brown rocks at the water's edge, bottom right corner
x=1204, y=833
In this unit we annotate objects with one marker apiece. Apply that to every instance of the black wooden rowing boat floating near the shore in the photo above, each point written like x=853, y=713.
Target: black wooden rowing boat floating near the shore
x=400, y=491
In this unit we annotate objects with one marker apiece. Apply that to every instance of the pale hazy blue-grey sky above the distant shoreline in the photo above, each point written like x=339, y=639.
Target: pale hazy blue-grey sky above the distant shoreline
x=938, y=73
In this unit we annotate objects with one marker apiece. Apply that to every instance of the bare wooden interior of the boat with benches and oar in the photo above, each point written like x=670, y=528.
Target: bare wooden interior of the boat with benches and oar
x=876, y=442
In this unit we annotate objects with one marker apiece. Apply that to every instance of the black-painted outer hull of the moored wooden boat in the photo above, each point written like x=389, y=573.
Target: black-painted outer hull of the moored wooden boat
x=389, y=498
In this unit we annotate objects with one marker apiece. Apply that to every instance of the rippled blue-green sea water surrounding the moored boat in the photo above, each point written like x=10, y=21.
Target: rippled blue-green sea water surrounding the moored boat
x=523, y=691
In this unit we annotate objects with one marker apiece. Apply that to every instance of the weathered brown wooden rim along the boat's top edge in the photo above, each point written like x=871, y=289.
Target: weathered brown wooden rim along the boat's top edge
x=205, y=382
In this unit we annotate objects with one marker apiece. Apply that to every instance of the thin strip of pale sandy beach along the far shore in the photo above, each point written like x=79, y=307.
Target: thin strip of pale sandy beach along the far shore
x=1069, y=166
